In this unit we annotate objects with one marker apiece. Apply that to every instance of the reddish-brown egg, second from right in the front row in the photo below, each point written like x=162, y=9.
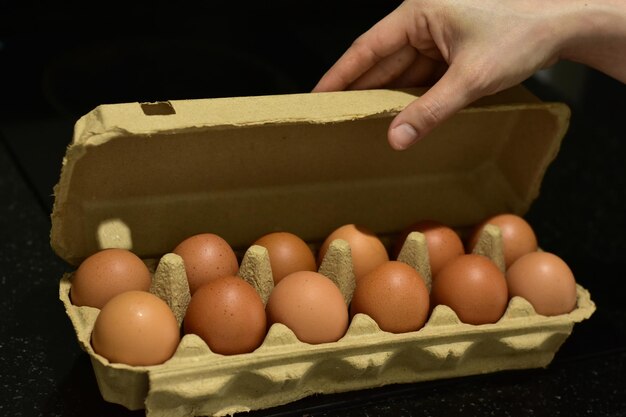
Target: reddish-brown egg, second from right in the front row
x=474, y=287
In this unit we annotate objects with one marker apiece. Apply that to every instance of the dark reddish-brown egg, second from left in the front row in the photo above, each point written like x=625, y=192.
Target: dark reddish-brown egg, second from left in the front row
x=228, y=314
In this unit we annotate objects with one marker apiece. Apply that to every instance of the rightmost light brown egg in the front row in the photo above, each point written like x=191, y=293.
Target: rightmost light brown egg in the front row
x=545, y=281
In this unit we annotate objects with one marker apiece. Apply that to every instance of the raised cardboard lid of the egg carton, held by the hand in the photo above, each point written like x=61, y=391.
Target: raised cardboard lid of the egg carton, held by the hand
x=145, y=176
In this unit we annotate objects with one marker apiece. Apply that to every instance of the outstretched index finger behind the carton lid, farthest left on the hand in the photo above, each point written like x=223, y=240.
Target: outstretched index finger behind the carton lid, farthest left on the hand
x=381, y=40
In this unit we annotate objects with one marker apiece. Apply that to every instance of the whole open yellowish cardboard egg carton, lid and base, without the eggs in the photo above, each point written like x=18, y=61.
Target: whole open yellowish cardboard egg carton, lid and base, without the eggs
x=146, y=176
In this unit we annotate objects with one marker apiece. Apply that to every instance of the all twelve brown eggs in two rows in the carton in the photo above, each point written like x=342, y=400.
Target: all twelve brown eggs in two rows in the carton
x=138, y=328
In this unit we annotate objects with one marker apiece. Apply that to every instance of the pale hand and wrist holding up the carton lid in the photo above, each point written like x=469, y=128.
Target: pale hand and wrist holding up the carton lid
x=467, y=49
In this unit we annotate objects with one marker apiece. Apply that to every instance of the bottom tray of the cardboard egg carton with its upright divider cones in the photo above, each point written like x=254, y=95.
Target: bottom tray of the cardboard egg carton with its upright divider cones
x=196, y=381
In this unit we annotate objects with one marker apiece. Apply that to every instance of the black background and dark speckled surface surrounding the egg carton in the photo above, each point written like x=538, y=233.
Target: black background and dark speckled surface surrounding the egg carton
x=56, y=65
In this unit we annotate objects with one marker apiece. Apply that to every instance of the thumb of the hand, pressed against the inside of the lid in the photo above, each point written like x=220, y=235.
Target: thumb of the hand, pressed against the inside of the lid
x=442, y=100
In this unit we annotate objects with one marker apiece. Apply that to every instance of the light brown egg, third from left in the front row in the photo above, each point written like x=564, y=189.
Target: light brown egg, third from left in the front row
x=311, y=305
